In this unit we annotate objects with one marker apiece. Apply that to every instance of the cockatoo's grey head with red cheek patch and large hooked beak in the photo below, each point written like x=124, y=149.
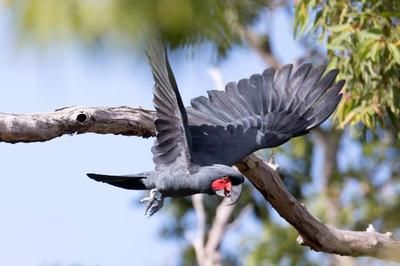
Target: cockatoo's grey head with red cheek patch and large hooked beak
x=226, y=182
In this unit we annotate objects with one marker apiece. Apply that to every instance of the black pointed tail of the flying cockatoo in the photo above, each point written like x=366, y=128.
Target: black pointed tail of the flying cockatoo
x=137, y=182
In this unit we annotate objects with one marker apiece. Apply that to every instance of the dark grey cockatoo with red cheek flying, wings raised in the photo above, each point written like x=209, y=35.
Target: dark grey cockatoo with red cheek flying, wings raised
x=196, y=147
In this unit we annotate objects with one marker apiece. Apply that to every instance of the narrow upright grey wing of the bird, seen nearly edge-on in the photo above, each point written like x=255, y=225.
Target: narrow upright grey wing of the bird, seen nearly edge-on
x=173, y=140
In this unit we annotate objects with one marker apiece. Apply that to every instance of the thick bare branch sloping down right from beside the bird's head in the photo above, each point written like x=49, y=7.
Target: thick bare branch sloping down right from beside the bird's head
x=313, y=233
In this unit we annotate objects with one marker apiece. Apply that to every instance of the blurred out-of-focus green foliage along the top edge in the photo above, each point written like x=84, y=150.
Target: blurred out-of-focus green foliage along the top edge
x=181, y=21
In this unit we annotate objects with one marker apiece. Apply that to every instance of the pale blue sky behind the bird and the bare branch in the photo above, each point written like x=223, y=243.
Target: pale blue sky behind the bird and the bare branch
x=51, y=212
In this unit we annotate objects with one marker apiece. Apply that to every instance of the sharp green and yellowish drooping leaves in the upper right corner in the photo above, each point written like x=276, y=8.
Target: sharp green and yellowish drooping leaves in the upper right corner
x=362, y=39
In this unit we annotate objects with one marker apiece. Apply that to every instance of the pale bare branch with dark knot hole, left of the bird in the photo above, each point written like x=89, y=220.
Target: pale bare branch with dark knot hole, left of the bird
x=70, y=120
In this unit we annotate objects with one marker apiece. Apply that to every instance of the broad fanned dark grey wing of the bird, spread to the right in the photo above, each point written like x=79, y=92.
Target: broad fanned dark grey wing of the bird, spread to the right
x=263, y=111
